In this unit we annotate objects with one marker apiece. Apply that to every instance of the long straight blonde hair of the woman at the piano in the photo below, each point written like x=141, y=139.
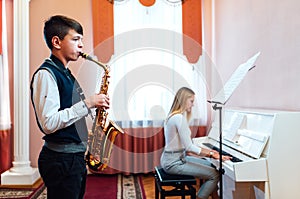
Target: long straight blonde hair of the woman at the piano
x=179, y=102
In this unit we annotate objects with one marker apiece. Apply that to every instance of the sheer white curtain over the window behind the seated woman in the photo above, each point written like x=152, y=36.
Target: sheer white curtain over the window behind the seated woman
x=148, y=65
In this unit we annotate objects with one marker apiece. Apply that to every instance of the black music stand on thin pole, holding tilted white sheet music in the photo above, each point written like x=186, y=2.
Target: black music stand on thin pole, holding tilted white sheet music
x=223, y=96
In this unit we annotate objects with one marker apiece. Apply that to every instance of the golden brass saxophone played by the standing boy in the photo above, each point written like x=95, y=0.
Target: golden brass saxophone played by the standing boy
x=102, y=137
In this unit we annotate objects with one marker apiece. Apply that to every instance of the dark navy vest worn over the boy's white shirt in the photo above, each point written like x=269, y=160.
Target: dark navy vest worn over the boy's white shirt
x=69, y=93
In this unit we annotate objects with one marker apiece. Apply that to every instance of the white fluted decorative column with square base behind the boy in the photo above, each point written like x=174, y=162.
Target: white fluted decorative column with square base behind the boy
x=21, y=173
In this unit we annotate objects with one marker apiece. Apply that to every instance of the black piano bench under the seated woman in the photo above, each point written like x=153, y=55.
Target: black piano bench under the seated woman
x=182, y=184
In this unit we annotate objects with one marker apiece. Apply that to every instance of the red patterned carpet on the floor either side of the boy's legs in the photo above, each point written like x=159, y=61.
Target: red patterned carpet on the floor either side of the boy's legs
x=98, y=186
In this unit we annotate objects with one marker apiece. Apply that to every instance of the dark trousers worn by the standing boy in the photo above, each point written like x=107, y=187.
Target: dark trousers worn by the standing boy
x=64, y=174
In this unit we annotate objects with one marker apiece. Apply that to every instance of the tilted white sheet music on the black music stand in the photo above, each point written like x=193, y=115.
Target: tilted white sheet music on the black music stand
x=233, y=82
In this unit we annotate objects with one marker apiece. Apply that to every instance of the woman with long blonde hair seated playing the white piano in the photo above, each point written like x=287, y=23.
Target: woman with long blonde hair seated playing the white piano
x=180, y=155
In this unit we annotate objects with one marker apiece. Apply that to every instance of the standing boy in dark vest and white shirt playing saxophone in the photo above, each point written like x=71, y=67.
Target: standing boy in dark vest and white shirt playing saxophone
x=60, y=109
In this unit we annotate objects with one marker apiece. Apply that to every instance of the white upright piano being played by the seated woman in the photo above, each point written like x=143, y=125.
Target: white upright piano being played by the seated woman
x=266, y=147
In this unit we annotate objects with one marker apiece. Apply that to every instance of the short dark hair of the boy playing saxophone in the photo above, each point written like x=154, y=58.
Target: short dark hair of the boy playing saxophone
x=59, y=25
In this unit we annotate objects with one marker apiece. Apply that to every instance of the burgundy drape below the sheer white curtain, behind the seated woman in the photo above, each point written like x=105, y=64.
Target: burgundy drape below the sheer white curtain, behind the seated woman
x=139, y=150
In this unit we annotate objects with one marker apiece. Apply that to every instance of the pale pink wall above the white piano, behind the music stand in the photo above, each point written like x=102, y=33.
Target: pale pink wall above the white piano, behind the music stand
x=272, y=27
